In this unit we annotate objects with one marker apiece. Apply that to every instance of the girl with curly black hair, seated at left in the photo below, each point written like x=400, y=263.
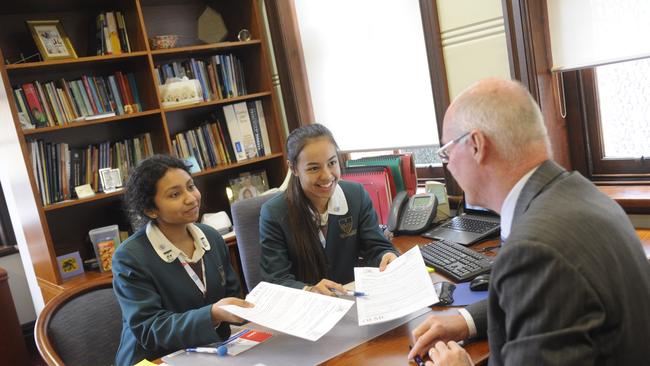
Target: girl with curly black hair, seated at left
x=171, y=275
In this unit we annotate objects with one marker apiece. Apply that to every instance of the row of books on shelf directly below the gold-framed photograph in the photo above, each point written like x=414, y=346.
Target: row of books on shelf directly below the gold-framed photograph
x=56, y=103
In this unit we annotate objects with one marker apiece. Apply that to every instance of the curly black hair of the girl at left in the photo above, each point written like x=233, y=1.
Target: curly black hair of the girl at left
x=141, y=186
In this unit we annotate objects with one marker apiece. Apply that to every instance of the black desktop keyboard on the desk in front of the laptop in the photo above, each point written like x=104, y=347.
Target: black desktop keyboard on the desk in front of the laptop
x=461, y=264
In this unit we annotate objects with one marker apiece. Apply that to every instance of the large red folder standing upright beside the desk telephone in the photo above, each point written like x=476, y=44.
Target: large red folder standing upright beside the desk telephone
x=377, y=181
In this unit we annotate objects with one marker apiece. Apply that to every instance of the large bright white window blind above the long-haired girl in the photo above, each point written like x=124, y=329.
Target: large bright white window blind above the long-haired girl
x=368, y=73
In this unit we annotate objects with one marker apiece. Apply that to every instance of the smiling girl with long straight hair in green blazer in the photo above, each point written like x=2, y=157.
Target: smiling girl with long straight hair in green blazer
x=314, y=234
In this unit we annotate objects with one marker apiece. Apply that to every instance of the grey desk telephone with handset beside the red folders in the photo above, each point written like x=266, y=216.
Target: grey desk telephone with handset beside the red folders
x=412, y=215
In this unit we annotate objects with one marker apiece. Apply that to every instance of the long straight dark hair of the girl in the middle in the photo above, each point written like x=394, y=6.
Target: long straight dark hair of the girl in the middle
x=311, y=264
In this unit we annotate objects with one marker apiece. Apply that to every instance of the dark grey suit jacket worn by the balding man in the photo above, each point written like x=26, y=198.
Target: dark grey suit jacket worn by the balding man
x=571, y=285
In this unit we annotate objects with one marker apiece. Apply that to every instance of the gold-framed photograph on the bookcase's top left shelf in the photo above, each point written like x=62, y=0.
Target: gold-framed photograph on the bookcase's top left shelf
x=52, y=41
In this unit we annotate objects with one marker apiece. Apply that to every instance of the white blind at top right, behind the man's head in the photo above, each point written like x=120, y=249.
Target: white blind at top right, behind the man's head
x=586, y=33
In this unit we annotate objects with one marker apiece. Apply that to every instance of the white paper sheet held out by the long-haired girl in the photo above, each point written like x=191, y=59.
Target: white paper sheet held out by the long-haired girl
x=404, y=287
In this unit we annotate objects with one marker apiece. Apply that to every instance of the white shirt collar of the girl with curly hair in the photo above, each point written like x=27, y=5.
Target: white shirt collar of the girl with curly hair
x=168, y=252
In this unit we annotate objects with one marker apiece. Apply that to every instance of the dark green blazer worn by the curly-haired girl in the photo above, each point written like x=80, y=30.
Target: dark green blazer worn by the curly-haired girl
x=162, y=308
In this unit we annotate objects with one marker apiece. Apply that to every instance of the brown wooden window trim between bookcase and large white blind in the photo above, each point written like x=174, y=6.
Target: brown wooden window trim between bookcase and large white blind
x=290, y=61
